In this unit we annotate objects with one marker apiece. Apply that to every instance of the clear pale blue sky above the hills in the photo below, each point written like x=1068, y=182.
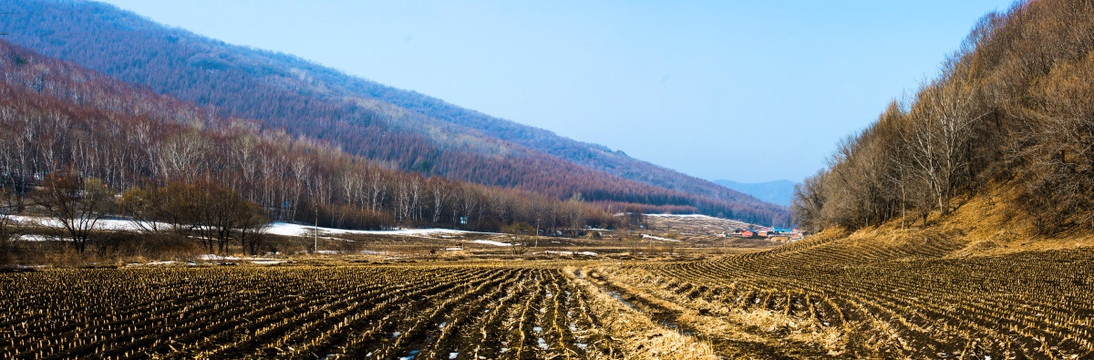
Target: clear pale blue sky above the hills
x=749, y=91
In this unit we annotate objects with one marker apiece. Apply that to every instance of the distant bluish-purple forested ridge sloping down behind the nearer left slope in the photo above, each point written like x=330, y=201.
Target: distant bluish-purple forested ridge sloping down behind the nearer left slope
x=399, y=130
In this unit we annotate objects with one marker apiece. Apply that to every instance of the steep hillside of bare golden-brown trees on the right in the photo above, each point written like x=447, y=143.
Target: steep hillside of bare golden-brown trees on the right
x=1010, y=119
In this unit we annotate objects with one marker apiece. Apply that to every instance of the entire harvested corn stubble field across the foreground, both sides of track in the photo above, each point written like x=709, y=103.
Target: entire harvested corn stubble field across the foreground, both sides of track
x=806, y=300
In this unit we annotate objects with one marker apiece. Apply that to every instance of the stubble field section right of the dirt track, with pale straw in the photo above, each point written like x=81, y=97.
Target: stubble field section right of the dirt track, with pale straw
x=824, y=300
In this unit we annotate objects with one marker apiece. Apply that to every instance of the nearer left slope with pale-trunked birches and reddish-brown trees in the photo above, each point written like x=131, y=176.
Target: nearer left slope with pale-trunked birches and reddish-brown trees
x=60, y=119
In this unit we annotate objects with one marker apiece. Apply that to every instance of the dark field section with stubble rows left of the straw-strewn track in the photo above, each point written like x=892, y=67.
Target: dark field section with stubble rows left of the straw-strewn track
x=463, y=312
